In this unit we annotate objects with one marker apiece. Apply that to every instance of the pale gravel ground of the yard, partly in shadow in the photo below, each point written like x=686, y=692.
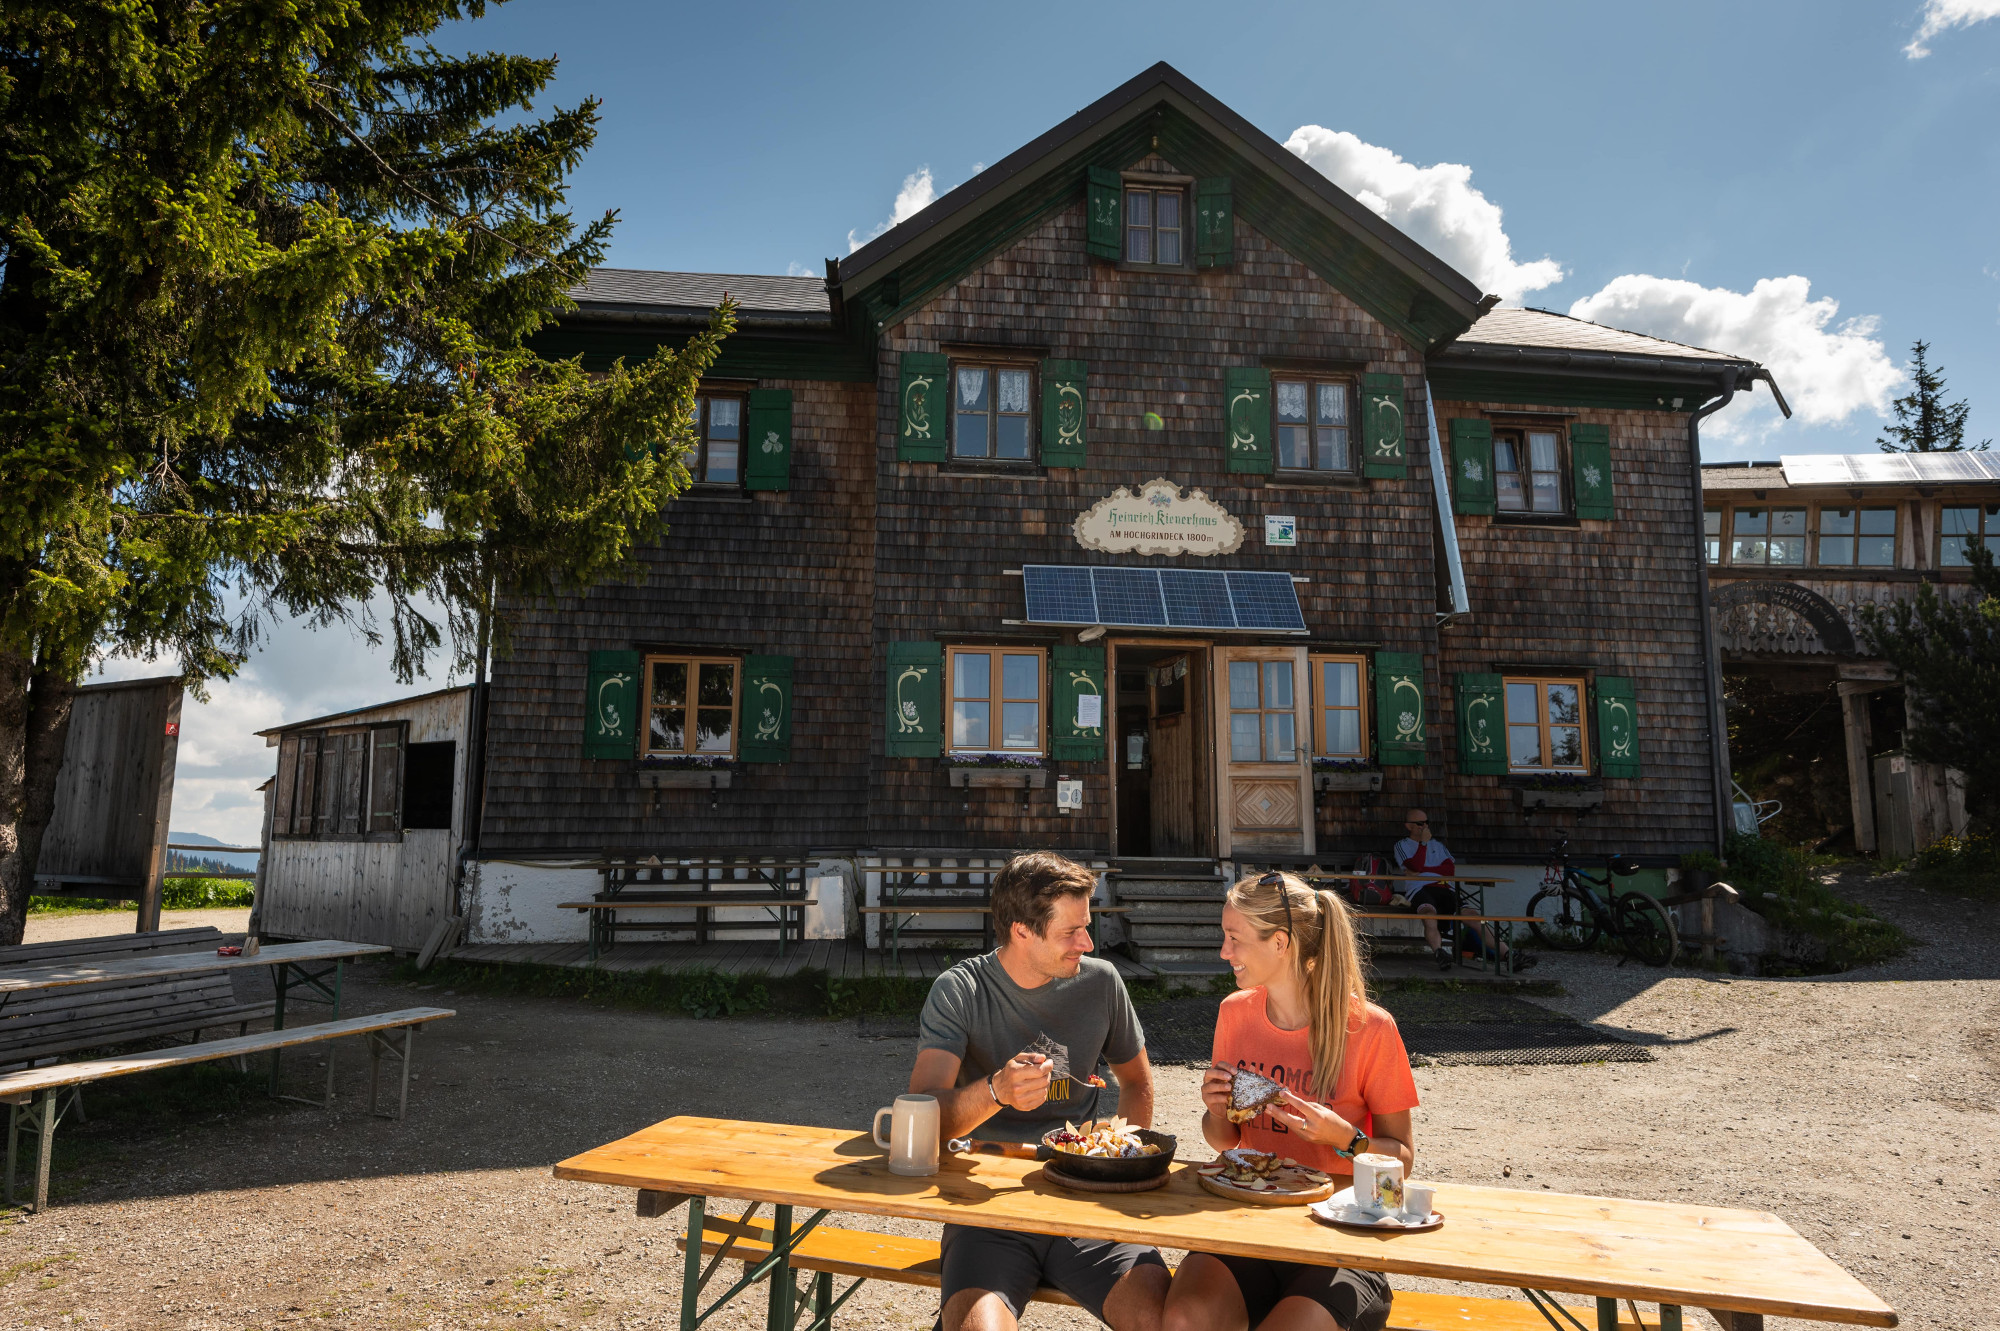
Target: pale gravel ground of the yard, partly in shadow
x=1839, y=1104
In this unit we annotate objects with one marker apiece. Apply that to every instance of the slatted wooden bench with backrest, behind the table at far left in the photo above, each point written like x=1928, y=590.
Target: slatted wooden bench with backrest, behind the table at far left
x=45, y=1024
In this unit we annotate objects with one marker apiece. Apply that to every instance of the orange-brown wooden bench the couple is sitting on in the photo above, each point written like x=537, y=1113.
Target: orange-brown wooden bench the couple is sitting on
x=907, y=1260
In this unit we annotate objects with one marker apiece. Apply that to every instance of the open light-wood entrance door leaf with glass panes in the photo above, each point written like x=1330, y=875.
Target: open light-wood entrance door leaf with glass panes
x=1263, y=738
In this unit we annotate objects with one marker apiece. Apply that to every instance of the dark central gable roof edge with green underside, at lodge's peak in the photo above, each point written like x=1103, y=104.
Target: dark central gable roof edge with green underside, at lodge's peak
x=1389, y=275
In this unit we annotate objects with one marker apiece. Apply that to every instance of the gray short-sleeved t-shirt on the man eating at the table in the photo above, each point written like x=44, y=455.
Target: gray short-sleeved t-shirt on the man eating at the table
x=981, y=1016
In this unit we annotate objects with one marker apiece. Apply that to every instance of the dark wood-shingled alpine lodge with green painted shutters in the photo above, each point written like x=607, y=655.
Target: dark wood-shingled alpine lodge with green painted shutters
x=1145, y=499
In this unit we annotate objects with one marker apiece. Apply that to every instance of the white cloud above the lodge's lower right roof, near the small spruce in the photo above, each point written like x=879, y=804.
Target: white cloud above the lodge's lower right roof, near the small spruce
x=1829, y=371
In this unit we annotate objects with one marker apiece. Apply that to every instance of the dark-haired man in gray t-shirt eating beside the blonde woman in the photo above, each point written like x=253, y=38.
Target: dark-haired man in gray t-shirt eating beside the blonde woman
x=991, y=1032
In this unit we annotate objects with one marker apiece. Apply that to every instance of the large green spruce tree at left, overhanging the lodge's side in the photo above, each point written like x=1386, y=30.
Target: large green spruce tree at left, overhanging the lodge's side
x=269, y=271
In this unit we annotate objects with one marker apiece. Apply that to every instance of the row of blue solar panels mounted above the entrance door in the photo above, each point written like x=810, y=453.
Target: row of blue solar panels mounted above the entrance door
x=1163, y=599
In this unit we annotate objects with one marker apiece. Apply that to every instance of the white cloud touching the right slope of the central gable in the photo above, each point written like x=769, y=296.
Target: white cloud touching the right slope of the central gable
x=1433, y=205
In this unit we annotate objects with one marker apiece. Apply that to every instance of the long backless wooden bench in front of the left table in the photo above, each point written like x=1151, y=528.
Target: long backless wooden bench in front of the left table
x=35, y=1098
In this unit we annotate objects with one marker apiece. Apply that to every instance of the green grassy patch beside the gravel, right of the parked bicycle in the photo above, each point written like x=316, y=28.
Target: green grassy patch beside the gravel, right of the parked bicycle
x=1823, y=932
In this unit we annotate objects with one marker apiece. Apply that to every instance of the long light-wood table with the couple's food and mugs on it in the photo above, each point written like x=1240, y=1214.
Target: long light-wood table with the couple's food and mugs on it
x=1671, y=1254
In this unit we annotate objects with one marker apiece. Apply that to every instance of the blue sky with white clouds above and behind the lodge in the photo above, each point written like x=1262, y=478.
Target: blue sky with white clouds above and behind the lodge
x=1781, y=181
